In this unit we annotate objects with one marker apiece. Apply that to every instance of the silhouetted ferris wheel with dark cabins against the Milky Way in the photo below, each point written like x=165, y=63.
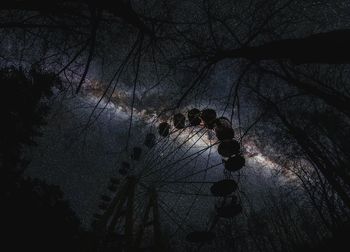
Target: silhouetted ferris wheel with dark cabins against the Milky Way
x=185, y=164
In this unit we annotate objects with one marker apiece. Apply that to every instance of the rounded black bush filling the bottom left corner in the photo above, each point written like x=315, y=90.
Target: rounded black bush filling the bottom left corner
x=35, y=217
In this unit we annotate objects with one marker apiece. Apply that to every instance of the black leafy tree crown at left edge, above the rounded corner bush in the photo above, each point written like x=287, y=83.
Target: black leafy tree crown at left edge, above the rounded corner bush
x=23, y=108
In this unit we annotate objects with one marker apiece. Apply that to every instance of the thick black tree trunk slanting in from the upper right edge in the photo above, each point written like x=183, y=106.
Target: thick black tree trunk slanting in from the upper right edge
x=329, y=47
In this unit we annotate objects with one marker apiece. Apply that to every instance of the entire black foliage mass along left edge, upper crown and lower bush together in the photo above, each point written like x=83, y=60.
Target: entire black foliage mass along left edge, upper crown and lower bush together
x=34, y=215
